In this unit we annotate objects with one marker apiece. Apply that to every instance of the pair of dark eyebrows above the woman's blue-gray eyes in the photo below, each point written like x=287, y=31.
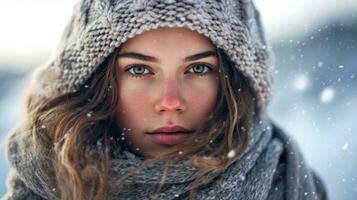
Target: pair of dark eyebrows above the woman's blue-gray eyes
x=154, y=59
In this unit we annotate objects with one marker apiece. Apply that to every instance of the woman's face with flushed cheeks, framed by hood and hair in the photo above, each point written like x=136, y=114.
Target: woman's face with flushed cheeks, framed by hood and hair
x=164, y=81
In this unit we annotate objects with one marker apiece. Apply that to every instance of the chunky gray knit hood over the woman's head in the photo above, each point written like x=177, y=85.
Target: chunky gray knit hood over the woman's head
x=98, y=27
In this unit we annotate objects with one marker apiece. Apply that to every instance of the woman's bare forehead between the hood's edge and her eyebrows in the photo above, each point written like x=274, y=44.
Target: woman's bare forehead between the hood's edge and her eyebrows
x=169, y=39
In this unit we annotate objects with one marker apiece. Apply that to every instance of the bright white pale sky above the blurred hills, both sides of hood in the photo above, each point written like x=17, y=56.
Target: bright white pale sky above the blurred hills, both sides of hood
x=30, y=29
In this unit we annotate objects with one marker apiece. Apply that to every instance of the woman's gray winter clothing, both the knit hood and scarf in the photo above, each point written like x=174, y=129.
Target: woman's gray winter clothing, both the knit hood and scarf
x=271, y=166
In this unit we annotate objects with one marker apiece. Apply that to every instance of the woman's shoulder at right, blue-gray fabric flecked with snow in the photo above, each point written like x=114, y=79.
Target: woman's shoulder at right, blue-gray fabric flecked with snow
x=293, y=174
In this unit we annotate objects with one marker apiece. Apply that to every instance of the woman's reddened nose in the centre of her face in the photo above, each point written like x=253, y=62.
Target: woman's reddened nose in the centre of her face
x=170, y=99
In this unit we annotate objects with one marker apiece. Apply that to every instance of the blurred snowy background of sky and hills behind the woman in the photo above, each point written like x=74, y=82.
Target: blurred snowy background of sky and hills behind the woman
x=315, y=45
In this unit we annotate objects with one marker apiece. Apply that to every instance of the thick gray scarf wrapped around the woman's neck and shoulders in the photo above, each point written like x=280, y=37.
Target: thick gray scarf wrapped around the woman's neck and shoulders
x=271, y=167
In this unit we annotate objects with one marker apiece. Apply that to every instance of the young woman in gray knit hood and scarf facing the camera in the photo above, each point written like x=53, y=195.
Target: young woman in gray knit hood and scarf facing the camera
x=157, y=100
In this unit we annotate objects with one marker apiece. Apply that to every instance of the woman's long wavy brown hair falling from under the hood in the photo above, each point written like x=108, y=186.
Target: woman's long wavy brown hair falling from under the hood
x=78, y=120
